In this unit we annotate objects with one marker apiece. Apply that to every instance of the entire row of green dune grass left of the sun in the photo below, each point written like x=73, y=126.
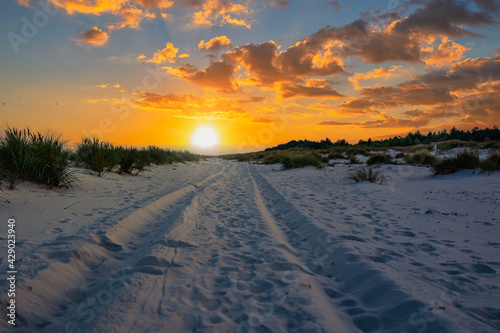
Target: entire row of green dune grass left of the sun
x=45, y=159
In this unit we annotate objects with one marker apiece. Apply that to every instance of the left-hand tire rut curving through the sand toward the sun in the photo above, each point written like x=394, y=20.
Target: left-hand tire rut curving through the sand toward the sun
x=85, y=271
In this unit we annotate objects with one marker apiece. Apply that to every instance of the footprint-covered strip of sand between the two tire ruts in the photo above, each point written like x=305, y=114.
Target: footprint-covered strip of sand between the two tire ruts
x=236, y=274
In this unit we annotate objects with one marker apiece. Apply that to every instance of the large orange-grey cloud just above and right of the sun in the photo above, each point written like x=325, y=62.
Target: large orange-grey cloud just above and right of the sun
x=285, y=71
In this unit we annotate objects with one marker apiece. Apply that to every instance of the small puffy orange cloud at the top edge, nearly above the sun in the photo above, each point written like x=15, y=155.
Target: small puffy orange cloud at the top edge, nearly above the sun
x=216, y=12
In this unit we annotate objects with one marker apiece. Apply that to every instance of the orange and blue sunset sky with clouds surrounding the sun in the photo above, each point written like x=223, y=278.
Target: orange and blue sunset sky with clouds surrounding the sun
x=140, y=72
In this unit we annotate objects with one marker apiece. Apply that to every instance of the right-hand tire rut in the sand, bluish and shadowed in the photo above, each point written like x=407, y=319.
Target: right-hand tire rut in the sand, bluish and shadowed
x=372, y=299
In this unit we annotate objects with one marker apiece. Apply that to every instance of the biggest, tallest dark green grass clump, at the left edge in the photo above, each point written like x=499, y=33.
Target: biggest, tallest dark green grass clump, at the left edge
x=30, y=156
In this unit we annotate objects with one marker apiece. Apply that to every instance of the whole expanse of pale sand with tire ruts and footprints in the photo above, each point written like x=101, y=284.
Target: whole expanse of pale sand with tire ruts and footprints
x=230, y=247
